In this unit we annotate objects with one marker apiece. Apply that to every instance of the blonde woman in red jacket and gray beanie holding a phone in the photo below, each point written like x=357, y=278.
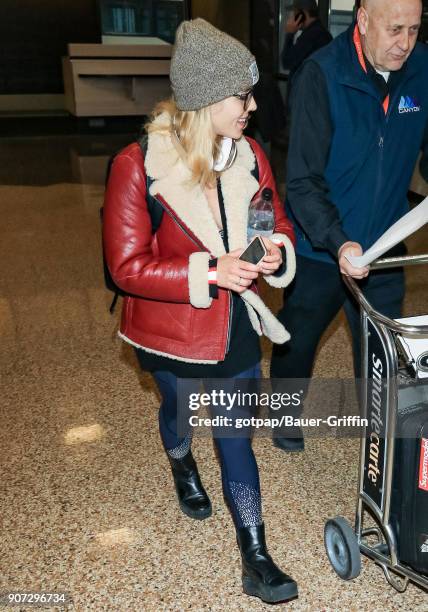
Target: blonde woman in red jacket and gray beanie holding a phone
x=192, y=309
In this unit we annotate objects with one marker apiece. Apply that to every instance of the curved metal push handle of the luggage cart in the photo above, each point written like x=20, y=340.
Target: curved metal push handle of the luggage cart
x=390, y=262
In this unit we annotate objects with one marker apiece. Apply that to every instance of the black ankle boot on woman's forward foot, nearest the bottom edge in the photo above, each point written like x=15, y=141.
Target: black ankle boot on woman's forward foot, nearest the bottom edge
x=260, y=576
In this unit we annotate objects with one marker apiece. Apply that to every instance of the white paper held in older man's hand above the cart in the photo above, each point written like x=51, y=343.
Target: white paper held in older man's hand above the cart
x=403, y=228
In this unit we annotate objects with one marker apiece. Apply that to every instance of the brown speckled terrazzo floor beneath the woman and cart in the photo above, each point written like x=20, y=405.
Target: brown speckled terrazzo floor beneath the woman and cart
x=87, y=501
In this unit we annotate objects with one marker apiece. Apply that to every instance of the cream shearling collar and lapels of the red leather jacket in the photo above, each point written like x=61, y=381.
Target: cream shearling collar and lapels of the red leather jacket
x=171, y=176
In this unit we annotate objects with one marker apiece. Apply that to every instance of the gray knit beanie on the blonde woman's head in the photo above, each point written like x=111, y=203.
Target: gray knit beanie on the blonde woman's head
x=208, y=65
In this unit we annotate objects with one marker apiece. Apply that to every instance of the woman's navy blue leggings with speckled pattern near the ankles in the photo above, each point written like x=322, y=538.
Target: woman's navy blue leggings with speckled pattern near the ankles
x=240, y=475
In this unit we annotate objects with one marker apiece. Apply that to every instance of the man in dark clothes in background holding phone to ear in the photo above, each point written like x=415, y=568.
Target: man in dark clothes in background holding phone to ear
x=304, y=17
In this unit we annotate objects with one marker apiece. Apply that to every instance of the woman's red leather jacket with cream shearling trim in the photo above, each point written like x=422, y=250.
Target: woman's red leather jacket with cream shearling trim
x=168, y=310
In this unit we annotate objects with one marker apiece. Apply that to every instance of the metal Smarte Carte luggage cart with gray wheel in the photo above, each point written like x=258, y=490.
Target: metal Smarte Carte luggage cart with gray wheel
x=399, y=386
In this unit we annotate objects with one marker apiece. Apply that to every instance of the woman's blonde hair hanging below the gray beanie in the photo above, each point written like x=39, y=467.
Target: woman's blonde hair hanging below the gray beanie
x=194, y=136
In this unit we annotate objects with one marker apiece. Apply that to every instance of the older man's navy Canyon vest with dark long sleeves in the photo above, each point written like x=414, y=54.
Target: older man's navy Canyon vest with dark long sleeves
x=349, y=164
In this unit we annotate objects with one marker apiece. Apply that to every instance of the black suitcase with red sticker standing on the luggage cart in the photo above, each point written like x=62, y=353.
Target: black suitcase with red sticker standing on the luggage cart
x=409, y=502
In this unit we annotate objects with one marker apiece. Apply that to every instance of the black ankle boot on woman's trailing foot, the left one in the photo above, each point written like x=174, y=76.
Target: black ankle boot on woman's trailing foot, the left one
x=192, y=496
